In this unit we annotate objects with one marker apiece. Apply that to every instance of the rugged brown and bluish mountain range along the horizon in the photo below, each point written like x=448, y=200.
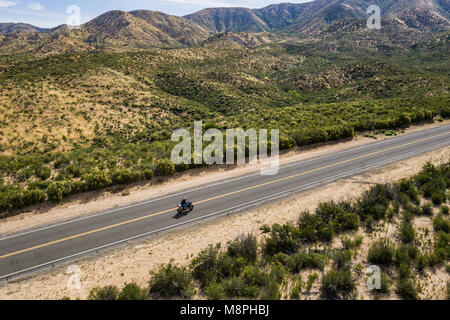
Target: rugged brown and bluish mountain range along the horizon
x=142, y=29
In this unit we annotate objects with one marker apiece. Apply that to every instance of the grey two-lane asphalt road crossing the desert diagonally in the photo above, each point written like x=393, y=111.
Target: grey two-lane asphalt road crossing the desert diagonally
x=56, y=244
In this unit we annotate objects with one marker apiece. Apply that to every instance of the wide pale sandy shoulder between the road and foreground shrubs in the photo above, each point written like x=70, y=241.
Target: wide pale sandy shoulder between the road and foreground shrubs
x=134, y=262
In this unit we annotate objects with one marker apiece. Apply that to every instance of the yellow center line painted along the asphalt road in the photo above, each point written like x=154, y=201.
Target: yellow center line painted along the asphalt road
x=213, y=198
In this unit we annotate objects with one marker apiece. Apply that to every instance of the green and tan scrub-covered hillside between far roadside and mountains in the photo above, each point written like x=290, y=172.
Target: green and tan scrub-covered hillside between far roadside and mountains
x=76, y=122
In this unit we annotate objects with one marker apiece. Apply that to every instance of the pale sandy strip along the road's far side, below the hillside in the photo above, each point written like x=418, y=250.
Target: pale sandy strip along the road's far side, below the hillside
x=100, y=201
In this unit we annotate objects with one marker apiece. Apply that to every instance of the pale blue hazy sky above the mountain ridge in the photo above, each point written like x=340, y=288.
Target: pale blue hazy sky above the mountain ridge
x=51, y=13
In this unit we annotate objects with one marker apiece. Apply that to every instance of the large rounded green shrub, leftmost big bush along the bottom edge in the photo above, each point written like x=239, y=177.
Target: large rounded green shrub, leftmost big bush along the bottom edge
x=171, y=281
